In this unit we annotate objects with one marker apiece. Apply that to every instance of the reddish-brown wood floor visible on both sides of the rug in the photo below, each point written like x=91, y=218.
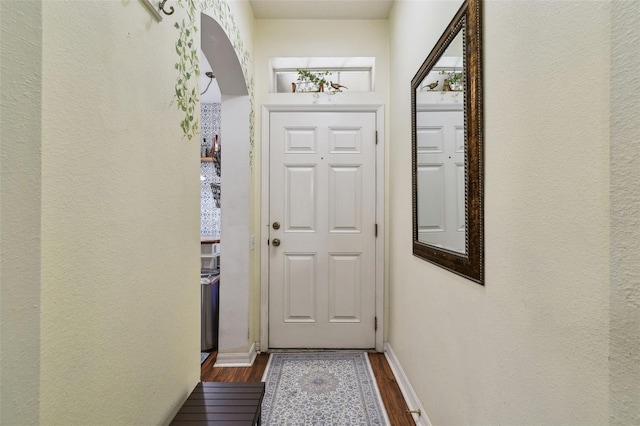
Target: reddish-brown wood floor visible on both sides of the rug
x=389, y=390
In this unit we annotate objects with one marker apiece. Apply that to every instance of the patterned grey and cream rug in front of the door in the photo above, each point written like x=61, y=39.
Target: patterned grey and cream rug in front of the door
x=327, y=389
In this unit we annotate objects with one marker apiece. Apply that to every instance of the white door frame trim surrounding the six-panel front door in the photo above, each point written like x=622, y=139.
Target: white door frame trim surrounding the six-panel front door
x=380, y=196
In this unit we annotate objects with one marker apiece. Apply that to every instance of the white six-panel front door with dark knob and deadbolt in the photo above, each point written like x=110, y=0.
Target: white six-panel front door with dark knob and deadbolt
x=322, y=208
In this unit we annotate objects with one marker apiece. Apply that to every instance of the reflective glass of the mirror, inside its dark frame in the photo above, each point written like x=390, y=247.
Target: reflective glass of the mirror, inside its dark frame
x=440, y=182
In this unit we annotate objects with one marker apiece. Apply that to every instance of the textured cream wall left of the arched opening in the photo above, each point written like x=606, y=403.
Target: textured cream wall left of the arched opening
x=99, y=216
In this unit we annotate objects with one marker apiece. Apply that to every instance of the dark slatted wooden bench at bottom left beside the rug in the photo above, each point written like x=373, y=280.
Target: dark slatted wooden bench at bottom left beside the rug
x=222, y=403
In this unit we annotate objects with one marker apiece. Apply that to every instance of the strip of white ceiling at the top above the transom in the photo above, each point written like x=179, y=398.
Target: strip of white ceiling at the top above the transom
x=321, y=9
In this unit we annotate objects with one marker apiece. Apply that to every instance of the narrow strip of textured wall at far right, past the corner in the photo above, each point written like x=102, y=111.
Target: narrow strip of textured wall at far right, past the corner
x=625, y=214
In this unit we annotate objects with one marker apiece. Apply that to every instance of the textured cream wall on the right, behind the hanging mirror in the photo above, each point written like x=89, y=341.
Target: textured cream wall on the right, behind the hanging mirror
x=530, y=347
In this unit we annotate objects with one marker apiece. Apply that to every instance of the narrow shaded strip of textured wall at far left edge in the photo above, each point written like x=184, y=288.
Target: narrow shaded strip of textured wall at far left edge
x=20, y=194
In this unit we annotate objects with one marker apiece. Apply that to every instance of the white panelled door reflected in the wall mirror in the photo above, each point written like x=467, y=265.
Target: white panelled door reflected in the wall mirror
x=441, y=179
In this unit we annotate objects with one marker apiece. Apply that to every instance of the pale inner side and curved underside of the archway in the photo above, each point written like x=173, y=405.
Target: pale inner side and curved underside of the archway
x=234, y=347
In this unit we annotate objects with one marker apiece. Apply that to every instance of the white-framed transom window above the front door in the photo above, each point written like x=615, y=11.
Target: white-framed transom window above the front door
x=356, y=74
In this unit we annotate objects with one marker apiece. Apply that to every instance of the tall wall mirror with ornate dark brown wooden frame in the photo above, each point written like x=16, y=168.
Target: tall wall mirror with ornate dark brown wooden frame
x=447, y=149
